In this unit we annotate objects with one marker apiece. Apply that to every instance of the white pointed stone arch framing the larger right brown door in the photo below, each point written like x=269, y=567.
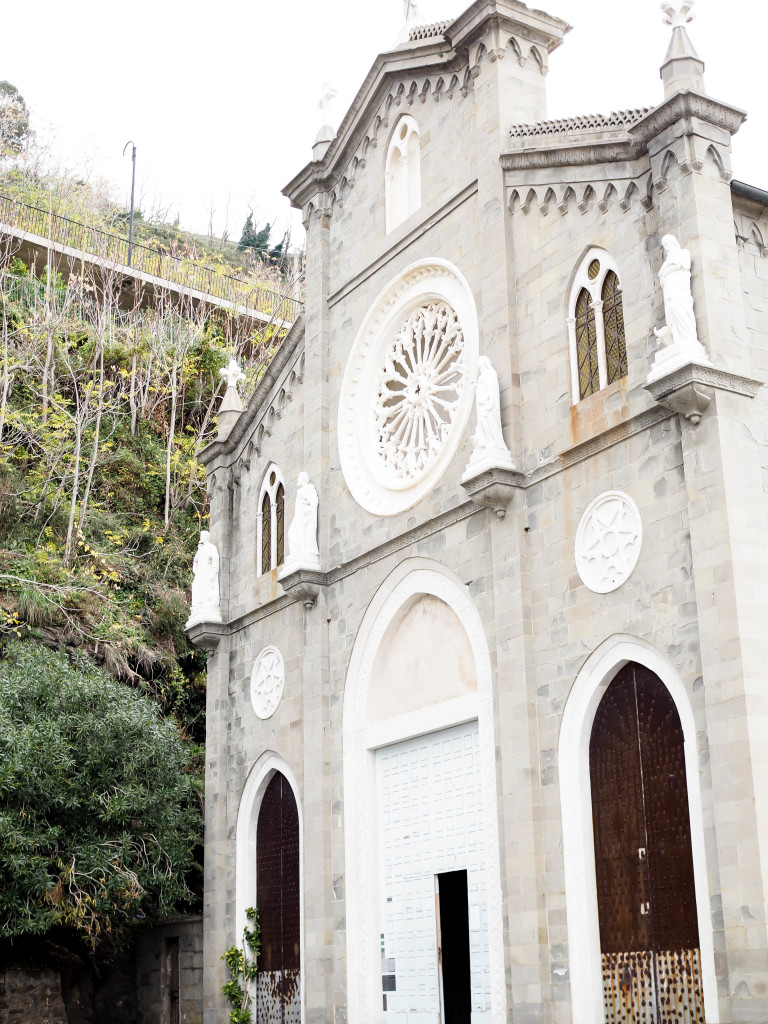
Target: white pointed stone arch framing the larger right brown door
x=576, y=800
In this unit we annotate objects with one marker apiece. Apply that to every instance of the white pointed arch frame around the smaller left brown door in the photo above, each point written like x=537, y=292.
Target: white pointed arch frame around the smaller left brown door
x=260, y=778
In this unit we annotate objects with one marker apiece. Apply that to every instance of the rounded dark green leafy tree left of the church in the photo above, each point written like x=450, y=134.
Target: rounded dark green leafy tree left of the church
x=100, y=808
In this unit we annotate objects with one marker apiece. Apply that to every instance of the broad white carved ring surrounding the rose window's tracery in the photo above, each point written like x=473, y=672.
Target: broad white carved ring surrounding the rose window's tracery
x=421, y=283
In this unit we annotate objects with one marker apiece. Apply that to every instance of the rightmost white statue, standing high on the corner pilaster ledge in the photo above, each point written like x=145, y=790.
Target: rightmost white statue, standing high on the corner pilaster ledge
x=679, y=340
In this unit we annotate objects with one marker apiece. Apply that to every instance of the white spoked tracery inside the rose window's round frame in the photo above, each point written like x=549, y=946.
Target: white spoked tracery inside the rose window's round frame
x=419, y=391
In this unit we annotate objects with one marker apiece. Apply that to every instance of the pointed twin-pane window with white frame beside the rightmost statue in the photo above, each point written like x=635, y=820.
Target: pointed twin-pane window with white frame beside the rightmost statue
x=596, y=335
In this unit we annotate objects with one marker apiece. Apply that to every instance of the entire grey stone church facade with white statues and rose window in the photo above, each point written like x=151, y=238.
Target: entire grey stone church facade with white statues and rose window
x=487, y=712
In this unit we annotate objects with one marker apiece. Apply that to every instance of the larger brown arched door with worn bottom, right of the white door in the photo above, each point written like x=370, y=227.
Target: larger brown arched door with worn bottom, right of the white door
x=644, y=861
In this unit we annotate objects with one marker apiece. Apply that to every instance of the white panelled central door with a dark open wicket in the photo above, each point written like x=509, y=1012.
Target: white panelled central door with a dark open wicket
x=430, y=821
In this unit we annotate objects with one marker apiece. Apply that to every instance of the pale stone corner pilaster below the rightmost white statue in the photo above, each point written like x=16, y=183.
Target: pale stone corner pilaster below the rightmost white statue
x=729, y=522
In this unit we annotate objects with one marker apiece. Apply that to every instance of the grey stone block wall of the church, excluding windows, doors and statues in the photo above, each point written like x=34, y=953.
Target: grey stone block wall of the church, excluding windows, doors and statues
x=698, y=594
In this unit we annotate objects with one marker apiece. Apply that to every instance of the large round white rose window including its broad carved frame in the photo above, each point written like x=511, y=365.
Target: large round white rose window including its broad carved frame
x=407, y=394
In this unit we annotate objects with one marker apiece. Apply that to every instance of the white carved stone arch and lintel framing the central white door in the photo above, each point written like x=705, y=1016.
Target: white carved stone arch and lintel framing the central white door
x=415, y=577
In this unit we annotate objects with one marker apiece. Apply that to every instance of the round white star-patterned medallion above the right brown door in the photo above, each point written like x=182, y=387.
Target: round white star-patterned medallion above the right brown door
x=609, y=541
